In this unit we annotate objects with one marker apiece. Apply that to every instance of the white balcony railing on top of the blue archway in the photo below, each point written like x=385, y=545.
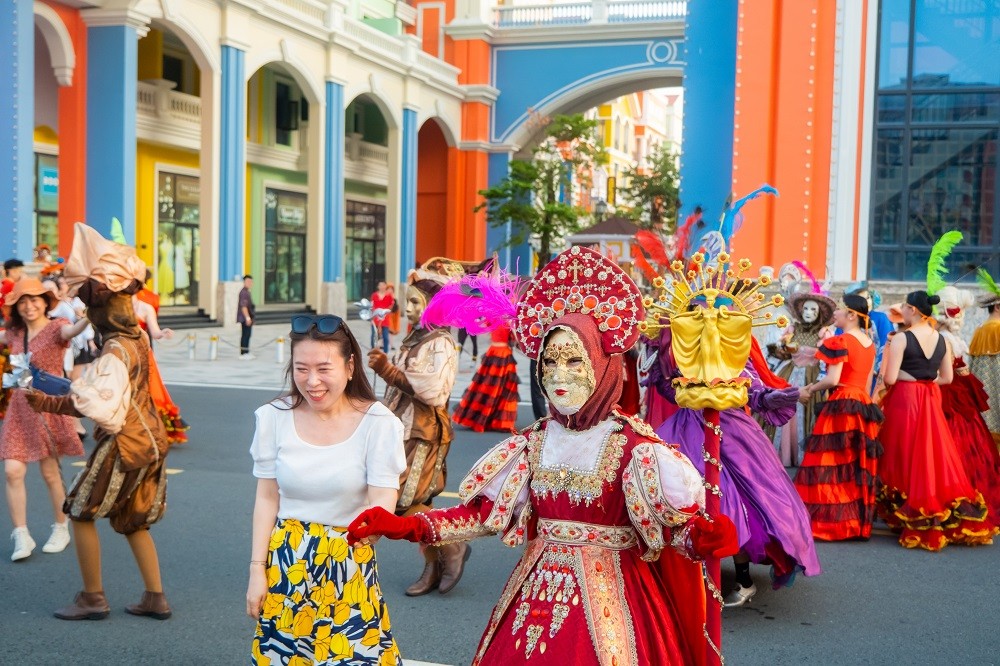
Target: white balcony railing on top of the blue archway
x=582, y=13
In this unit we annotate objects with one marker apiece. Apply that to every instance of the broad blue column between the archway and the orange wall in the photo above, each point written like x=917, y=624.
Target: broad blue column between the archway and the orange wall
x=709, y=104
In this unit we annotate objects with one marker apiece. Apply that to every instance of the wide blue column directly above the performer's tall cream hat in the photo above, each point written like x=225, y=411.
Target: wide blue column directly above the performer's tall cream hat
x=112, y=71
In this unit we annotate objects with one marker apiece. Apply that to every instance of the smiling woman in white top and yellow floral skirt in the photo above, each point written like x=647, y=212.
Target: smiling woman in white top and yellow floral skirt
x=321, y=455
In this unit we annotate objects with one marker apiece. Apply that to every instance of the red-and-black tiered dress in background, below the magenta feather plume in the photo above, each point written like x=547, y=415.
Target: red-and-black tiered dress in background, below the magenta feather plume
x=490, y=401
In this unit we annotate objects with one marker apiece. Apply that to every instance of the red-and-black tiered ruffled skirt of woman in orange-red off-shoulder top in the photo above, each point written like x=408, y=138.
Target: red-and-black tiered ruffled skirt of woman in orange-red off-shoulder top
x=837, y=477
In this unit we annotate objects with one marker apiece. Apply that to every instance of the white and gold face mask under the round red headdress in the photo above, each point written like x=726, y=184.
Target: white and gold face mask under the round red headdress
x=567, y=374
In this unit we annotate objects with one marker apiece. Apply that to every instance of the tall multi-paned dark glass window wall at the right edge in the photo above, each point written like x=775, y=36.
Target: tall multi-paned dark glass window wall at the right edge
x=934, y=167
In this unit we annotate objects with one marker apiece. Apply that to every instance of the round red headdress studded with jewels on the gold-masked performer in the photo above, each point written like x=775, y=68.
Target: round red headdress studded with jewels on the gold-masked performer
x=580, y=280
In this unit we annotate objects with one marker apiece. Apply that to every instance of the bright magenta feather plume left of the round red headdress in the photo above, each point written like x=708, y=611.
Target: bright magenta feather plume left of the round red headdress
x=479, y=303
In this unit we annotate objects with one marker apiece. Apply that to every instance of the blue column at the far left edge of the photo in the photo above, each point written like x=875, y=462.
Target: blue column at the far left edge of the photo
x=17, y=118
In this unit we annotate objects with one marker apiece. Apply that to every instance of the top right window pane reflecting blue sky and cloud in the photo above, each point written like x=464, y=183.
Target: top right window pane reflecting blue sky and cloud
x=956, y=43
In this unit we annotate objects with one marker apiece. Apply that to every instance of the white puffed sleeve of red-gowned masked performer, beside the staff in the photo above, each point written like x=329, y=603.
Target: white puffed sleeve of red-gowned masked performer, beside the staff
x=663, y=490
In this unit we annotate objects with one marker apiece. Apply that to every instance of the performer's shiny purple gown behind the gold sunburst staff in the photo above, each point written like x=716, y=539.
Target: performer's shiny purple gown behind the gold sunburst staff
x=771, y=521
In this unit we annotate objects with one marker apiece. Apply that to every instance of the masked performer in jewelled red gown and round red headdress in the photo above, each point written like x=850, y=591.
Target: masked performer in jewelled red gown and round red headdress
x=596, y=495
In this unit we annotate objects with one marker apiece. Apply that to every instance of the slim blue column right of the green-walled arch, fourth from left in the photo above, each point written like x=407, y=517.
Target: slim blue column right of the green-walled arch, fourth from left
x=333, y=155
